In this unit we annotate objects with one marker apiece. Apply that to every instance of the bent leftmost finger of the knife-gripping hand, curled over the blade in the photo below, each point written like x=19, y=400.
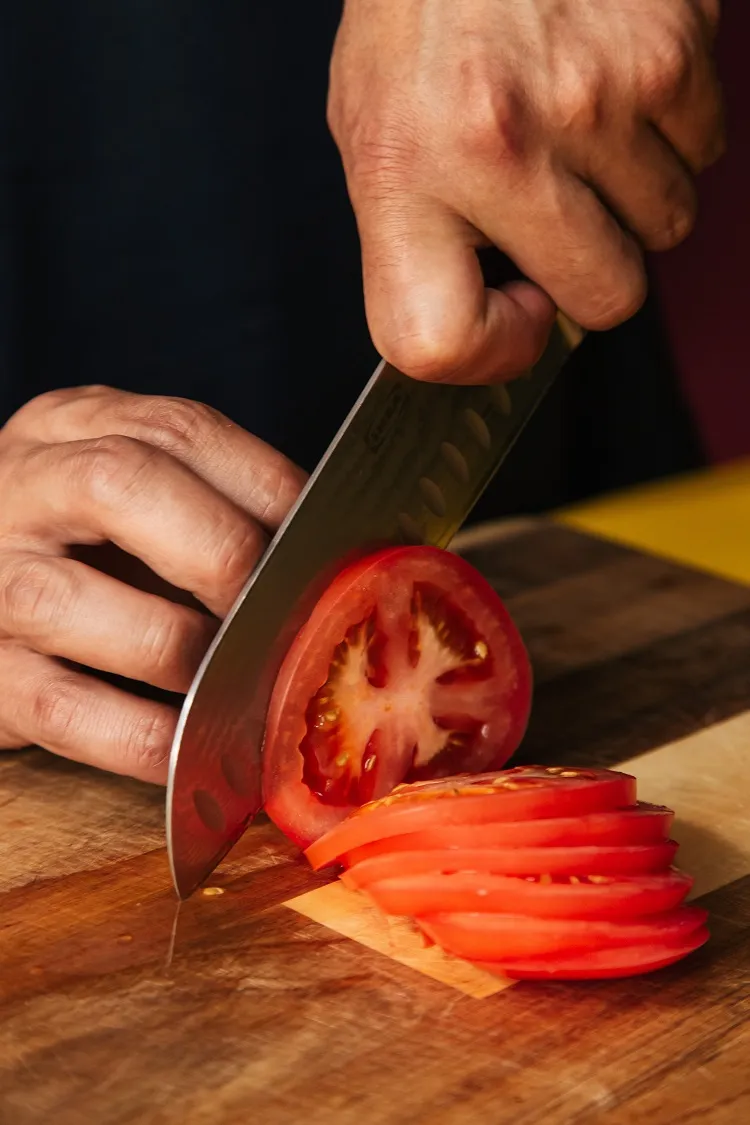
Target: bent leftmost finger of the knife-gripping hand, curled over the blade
x=428, y=308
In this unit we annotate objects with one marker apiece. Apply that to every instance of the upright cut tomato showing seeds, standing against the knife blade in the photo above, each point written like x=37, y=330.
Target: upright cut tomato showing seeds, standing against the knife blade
x=409, y=668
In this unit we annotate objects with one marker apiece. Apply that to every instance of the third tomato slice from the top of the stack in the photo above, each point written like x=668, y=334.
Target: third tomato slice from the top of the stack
x=617, y=860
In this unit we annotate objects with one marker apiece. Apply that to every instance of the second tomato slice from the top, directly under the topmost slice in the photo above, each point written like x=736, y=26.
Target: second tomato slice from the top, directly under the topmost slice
x=644, y=824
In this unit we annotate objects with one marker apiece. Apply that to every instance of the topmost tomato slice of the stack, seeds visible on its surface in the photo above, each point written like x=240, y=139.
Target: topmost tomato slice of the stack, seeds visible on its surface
x=522, y=794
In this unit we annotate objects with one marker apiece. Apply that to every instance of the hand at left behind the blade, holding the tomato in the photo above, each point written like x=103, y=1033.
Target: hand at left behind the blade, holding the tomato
x=188, y=497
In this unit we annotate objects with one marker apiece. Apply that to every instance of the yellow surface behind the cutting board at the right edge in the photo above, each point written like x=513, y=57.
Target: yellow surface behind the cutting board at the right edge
x=702, y=520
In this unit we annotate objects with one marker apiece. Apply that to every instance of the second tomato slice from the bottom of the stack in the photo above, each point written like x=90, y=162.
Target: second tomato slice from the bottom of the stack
x=501, y=938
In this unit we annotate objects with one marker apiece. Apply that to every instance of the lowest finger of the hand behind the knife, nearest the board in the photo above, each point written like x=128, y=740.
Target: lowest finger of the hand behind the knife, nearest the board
x=80, y=718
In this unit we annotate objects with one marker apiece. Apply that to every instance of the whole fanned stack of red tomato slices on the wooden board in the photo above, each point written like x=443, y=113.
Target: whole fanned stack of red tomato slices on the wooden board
x=532, y=872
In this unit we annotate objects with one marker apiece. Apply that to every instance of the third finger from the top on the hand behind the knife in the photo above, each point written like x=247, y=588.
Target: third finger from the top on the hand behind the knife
x=66, y=609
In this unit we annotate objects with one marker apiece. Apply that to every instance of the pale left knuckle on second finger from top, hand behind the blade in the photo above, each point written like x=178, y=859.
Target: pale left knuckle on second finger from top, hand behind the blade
x=114, y=469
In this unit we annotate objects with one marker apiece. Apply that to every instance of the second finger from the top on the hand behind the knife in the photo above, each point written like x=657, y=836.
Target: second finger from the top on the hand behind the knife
x=144, y=501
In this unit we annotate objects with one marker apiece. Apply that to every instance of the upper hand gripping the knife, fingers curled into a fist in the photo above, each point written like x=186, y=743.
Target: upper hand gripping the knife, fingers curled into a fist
x=564, y=132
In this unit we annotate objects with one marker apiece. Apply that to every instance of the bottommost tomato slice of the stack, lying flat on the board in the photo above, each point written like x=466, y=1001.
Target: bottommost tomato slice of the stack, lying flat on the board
x=602, y=965
